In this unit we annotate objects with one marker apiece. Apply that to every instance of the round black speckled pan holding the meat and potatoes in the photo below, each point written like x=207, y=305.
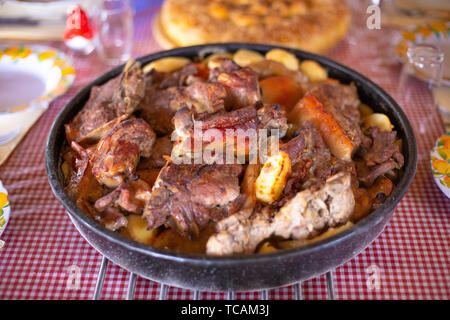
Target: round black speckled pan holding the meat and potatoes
x=241, y=272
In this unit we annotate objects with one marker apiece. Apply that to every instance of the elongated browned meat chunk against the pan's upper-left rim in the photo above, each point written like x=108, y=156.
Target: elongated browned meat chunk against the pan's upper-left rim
x=108, y=105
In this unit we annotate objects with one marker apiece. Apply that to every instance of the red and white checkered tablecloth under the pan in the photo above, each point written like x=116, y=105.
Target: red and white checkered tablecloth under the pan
x=412, y=254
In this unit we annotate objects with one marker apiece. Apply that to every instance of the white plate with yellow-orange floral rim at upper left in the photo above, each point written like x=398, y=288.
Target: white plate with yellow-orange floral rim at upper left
x=32, y=76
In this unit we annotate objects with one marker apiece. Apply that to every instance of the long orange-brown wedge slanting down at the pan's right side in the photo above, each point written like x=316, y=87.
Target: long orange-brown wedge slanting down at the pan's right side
x=309, y=108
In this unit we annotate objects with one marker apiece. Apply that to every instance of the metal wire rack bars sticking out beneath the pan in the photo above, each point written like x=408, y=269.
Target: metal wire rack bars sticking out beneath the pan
x=298, y=287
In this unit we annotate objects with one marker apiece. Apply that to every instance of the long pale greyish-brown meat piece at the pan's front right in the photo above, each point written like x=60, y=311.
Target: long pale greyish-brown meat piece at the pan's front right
x=305, y=215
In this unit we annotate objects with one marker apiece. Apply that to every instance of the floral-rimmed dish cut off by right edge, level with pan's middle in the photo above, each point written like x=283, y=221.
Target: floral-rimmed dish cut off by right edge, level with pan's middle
x=440, y=163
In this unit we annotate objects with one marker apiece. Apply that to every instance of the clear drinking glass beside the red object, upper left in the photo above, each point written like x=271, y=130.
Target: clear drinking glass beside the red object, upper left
x=115, y=31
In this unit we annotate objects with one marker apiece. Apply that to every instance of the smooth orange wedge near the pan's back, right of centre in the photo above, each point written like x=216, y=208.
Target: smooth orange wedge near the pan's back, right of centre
x=281, y=90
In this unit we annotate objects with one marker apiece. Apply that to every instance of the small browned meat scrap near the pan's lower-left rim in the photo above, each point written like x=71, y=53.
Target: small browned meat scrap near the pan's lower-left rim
x=129, y=196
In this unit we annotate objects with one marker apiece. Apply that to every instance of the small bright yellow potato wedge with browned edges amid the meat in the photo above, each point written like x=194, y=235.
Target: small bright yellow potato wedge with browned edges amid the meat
x=271, y=181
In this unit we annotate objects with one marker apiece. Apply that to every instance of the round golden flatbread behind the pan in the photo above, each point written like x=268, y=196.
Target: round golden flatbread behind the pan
x=314, y=26
